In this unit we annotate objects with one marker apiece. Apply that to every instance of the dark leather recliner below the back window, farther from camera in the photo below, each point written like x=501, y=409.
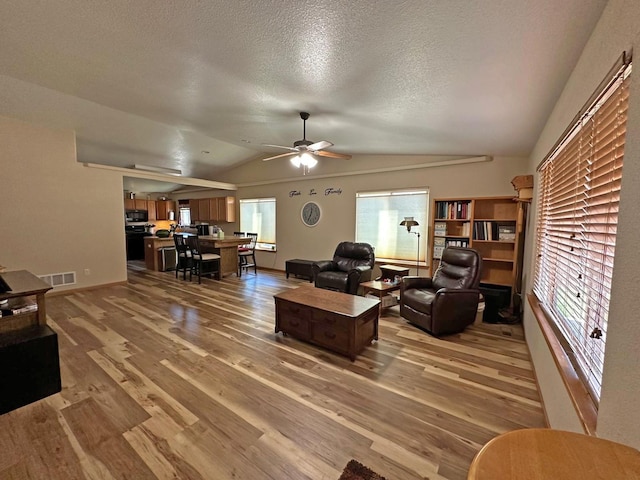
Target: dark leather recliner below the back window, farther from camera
x=352, y=264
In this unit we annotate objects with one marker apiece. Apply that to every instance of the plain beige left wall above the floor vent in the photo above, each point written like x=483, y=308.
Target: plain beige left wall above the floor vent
x=57, y=215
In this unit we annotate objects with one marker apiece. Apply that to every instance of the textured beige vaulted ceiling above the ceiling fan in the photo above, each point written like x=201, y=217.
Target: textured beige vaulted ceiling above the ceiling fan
x=158, y=83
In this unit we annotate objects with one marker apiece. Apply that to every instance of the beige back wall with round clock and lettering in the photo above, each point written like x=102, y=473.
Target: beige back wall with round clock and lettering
x=295, y=240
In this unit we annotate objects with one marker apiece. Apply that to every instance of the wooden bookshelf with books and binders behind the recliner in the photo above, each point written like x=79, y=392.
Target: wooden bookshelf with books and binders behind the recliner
x=490, y=225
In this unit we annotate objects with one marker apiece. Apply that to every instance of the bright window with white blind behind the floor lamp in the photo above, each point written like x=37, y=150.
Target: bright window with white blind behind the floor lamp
x=378, y=217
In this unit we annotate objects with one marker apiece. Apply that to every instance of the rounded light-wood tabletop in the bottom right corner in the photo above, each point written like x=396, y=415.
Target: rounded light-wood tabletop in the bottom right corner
x=546, y=454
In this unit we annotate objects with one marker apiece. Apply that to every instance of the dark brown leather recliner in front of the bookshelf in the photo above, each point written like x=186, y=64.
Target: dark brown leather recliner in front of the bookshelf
x=448, y=301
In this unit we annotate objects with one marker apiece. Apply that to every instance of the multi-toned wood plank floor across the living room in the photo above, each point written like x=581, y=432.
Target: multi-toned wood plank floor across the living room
x=164, y=378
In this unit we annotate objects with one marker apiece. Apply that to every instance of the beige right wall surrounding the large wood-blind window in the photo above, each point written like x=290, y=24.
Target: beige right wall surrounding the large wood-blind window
x=618, y=418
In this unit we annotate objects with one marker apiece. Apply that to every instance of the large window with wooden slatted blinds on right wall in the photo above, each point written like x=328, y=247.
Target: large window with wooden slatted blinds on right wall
x=578, y=199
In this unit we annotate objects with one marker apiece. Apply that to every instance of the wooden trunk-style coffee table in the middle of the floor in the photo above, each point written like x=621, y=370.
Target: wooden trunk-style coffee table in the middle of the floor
x=342, y=323
